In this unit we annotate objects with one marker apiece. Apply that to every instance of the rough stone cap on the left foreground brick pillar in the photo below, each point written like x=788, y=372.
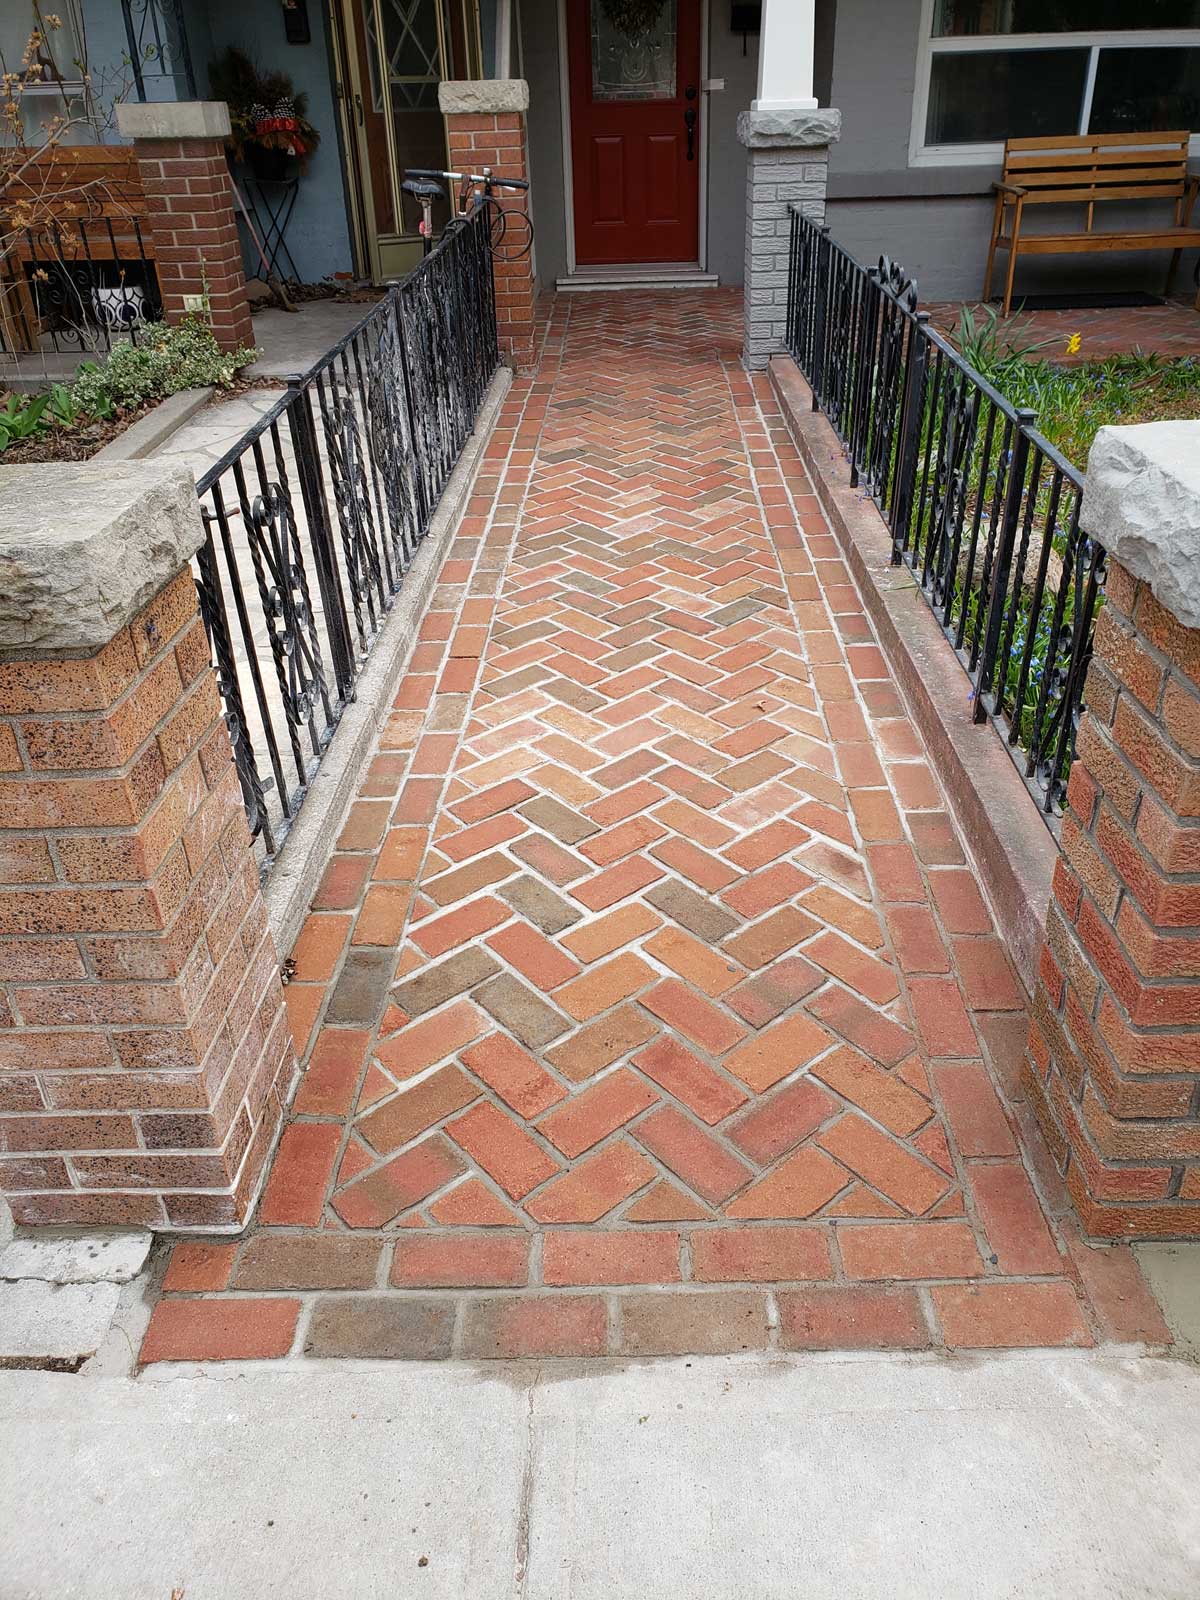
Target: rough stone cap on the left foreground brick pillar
x=84, y=548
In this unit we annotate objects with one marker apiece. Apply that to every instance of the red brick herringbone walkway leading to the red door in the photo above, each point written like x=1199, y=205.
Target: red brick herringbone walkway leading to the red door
x=649, y=1002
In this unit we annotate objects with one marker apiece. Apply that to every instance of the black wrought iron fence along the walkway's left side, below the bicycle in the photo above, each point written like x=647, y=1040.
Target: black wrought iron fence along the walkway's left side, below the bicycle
x=316, y=514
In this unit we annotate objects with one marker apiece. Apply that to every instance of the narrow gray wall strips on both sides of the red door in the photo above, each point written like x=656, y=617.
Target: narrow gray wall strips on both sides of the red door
x=727, y=159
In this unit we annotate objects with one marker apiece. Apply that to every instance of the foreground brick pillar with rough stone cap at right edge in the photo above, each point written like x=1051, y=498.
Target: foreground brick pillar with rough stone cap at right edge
x=1114, y=1047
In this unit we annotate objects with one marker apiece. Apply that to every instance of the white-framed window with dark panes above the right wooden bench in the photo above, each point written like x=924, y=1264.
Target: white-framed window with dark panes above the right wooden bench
x=1006, y=70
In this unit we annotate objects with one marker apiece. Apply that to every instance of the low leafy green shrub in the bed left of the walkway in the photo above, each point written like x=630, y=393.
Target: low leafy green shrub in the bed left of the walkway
x=164, y=362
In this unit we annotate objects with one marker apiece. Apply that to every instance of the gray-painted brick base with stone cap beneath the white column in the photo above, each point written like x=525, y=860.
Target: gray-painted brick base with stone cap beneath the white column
x=788, y=159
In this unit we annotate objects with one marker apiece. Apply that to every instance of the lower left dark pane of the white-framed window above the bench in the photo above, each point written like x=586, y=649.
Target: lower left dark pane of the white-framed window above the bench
x=986, y=97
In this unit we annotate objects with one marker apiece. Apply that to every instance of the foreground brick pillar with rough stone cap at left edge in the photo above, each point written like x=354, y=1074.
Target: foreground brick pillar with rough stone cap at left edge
x=145, y=1050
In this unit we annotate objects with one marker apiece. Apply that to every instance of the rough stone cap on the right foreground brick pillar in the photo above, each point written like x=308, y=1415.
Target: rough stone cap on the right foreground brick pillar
x=1142, y=500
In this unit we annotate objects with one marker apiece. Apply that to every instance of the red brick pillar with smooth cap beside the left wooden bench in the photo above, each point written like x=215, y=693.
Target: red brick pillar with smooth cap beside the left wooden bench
x=190, y=209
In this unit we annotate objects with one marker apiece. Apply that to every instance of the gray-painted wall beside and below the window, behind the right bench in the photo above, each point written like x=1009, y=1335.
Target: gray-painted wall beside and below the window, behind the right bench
x=937, y=220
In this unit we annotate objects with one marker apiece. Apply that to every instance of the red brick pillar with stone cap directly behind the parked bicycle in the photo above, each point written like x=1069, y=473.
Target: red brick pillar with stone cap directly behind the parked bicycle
x=486, y=127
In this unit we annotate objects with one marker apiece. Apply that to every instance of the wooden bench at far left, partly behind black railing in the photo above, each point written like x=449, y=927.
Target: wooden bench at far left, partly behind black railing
x=70, y=206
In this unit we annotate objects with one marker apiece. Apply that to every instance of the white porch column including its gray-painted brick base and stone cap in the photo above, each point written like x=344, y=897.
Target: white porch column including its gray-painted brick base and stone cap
x=788, y=143
